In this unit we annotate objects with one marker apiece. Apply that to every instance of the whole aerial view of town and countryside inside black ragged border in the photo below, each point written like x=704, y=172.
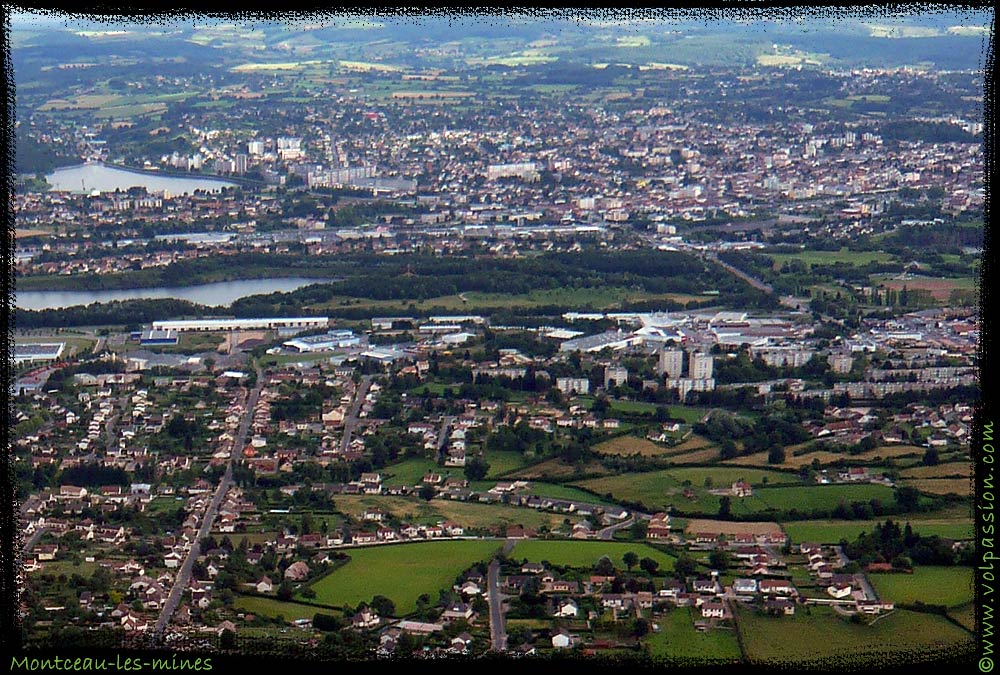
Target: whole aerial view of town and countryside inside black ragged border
x=459, y=346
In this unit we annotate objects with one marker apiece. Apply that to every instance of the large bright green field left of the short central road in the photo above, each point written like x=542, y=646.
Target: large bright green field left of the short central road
x=400, y=572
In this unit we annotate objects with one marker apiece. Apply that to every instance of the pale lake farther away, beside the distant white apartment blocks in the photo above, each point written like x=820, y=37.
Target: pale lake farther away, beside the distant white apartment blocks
x=104, y=178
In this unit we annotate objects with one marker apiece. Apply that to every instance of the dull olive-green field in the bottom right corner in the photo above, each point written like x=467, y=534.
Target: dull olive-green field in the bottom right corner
x=824, y=635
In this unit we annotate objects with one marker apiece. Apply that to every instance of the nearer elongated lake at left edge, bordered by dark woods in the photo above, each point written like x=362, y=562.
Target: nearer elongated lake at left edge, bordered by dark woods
x=220, y=294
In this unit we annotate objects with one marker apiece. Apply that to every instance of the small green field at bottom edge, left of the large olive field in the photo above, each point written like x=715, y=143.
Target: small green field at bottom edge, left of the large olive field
x=678, y=639
